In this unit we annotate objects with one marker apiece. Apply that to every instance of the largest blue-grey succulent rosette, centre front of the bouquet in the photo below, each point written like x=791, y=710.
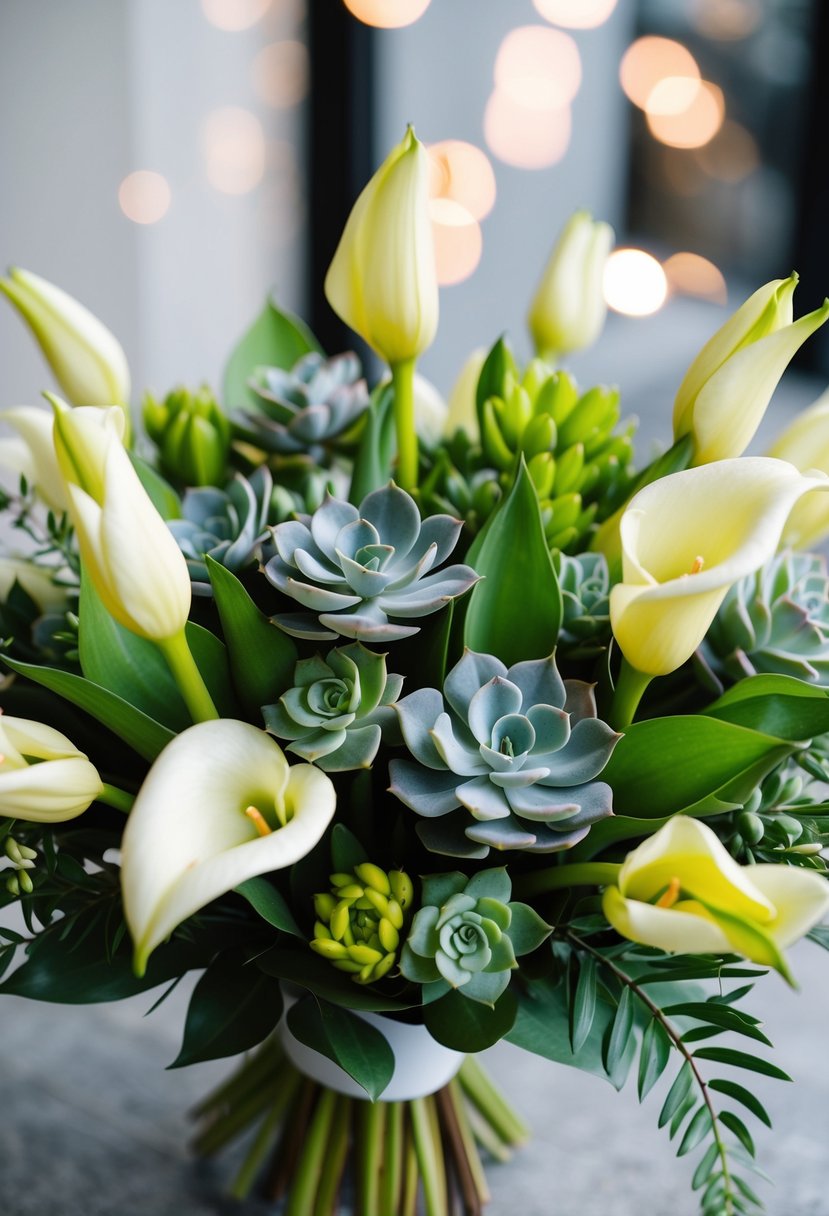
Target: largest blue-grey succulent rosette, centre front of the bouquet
x=506, y=758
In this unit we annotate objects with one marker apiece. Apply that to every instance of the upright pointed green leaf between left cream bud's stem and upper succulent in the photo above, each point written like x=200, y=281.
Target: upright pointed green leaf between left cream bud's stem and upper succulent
x=262, y=657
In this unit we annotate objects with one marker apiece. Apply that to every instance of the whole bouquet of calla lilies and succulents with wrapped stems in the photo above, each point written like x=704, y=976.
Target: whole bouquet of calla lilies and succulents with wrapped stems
x=416, y=734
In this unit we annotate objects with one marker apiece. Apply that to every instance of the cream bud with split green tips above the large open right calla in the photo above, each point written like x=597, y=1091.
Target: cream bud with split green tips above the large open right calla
x=728, y=389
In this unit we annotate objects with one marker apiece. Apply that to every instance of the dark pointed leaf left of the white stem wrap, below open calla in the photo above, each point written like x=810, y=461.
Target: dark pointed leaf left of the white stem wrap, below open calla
x=233, y=1009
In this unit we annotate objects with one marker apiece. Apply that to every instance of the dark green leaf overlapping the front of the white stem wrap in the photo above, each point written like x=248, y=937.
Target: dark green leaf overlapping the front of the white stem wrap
x=351, y=1042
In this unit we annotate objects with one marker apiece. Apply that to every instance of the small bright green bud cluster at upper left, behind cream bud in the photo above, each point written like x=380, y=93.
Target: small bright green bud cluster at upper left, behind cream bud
x=191, y=434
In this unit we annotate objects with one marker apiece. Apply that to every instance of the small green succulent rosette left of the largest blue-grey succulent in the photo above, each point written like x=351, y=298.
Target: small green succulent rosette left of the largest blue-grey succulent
x=339, y=710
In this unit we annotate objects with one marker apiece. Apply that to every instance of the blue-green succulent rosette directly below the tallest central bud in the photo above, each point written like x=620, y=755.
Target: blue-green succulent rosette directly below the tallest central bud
x=356, y=568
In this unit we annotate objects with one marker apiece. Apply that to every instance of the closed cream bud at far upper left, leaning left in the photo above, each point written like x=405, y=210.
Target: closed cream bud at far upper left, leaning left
x=87, y=359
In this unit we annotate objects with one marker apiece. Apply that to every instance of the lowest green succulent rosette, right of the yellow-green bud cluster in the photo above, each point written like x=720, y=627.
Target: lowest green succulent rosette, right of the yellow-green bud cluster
x=467, y=936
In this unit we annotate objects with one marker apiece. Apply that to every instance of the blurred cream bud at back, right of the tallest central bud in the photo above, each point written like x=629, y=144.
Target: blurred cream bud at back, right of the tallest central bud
x=568, y=311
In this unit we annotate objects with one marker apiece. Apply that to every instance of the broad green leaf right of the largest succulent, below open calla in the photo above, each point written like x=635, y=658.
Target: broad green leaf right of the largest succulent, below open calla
x=686, y=759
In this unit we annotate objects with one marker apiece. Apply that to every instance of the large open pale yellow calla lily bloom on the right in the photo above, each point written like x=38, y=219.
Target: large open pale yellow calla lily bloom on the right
x=686, y=541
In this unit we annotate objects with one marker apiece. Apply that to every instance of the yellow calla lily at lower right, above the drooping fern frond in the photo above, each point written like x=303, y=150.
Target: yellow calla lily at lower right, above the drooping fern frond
x=683, y=892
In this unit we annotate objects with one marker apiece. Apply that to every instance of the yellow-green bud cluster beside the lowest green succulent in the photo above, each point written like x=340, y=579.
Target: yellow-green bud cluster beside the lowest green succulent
x=359, y=922
